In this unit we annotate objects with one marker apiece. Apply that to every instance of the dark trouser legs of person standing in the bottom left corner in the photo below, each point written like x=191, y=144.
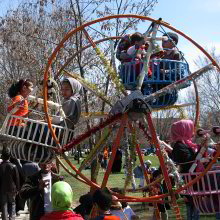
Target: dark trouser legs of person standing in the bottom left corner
x=8, y=206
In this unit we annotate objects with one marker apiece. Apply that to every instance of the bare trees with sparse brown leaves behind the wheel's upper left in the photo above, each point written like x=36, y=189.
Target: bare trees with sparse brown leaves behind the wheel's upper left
x=30, y=33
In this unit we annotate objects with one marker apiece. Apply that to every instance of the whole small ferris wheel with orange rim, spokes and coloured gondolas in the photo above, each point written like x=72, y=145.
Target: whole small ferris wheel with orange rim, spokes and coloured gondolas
x=129, y=117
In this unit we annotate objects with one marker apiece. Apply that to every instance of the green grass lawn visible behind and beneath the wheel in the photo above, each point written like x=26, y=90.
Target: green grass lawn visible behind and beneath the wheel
x=117, y=180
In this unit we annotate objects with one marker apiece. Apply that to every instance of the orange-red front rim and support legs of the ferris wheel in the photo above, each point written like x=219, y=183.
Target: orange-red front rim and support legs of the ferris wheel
x=153, y=198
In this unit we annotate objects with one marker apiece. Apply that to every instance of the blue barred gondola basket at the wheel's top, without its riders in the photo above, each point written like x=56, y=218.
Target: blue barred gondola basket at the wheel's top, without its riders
x=164, y=72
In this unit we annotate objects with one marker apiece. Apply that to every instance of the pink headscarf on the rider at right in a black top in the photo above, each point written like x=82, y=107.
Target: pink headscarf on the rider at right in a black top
x=183, y=131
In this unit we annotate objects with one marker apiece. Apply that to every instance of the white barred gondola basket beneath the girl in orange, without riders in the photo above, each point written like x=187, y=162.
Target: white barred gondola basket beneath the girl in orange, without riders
x=33, y=141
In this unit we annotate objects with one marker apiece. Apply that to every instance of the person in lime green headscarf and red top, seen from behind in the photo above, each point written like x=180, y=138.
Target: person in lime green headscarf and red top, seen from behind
x=62, y=198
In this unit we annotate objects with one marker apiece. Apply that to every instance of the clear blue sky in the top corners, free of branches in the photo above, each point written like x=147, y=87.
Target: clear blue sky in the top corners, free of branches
x=199, y=19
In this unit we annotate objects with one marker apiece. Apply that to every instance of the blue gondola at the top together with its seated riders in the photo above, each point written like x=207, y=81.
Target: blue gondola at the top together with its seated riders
x=165, y=65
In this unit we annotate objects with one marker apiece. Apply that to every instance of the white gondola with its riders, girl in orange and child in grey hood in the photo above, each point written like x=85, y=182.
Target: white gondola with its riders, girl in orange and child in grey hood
x=31, y=139
